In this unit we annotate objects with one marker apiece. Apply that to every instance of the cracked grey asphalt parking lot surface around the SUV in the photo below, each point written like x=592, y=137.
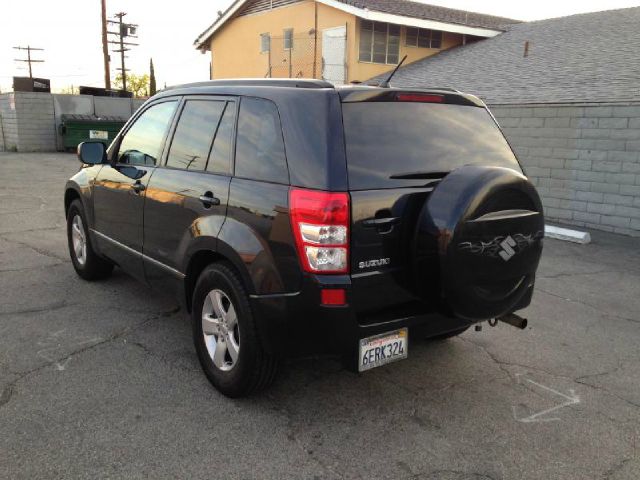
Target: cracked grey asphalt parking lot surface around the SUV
x=101, y=380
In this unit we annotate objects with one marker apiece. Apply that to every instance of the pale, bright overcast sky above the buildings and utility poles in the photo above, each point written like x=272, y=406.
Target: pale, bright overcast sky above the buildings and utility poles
x=69, y=31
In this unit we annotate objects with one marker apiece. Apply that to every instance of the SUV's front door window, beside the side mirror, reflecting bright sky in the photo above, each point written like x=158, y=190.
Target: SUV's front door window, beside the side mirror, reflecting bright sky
x=142, y=144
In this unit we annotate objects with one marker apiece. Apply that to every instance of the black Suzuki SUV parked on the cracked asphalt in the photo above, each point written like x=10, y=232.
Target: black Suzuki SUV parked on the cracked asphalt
x=292, y=217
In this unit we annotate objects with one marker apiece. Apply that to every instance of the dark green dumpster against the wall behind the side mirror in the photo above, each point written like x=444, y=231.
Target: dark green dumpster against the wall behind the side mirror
x=76, y=129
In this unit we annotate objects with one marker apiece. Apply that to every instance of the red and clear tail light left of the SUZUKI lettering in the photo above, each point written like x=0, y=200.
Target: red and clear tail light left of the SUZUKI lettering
x=320, y=222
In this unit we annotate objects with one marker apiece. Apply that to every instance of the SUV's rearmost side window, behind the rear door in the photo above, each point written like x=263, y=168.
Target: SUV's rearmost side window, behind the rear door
x=259, y=147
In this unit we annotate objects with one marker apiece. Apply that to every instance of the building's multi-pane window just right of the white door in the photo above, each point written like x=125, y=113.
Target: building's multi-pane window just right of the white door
x=379, y=42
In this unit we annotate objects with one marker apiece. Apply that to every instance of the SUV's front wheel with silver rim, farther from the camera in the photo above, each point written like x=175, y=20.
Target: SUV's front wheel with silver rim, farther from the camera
x=86, y=262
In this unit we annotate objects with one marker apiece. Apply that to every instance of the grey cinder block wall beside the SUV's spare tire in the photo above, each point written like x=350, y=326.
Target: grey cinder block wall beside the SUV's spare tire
x=584, y=160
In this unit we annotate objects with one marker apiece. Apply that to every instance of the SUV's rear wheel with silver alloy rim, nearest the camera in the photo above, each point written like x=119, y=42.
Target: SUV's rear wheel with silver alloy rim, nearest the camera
x=225, y=335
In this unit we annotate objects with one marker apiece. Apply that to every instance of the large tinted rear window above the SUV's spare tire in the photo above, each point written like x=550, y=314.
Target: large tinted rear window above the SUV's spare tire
x=391, y=139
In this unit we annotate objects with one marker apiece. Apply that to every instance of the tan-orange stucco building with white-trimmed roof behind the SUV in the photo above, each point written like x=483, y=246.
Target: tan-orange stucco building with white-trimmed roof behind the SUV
x=339, y=40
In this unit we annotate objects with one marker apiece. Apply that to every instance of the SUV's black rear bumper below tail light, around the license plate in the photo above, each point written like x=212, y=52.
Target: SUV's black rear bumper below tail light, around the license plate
x=297, y=324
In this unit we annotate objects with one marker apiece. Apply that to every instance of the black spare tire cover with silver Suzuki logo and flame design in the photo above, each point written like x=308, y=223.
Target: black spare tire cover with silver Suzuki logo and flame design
x=478, y=241
